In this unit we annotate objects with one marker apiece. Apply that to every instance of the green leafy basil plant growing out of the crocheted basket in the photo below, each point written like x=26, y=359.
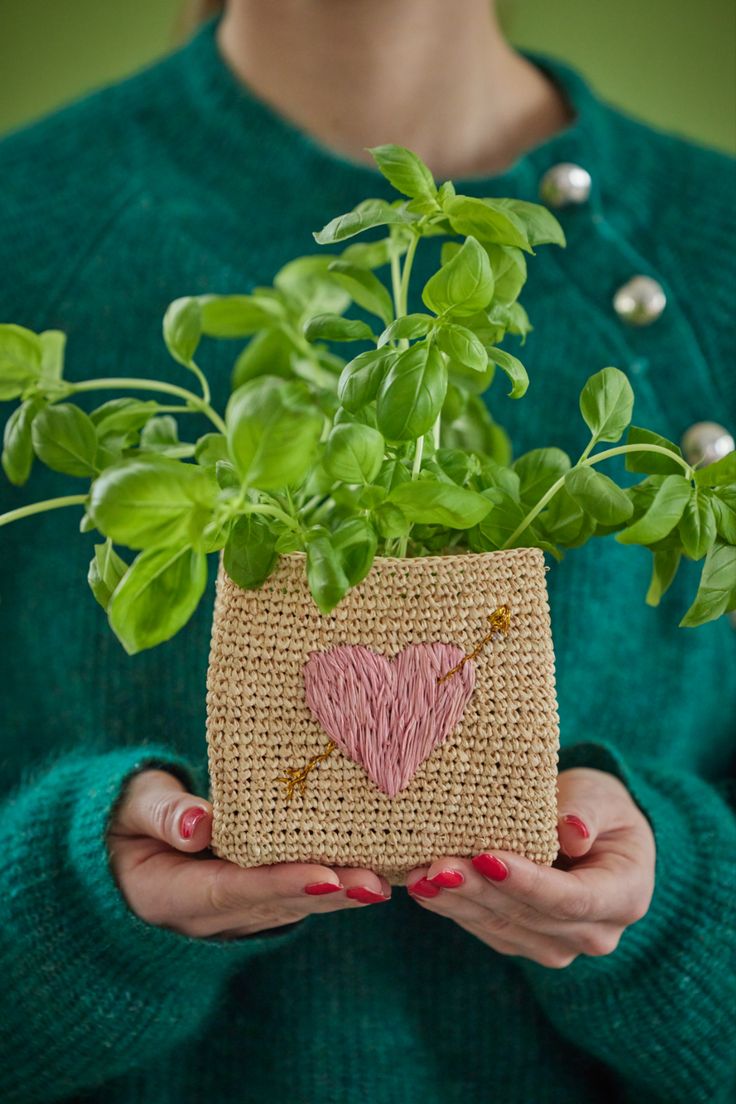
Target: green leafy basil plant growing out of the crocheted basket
x=391, y=453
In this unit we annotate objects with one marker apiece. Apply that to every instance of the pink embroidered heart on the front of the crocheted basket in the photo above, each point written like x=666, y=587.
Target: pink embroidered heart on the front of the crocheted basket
x=389, y=716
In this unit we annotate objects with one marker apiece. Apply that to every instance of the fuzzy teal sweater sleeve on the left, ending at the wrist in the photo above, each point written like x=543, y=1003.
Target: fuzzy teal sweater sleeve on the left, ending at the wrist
x=90, y=991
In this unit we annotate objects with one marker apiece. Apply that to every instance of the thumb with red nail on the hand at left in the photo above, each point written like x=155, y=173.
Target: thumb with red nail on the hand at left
x=157, y=805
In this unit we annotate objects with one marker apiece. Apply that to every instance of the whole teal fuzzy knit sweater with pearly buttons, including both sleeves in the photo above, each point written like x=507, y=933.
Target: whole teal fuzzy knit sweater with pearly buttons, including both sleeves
x=179, y=182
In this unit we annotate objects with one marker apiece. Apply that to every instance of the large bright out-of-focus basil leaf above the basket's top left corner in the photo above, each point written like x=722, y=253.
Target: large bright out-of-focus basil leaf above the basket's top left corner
x=273, y=432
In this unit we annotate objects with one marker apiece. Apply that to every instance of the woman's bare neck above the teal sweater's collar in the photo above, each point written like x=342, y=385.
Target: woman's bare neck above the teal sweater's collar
x=435, y=76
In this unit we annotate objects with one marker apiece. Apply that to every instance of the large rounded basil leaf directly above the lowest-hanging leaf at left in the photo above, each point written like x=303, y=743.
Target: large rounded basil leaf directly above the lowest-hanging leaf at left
x=153, y=501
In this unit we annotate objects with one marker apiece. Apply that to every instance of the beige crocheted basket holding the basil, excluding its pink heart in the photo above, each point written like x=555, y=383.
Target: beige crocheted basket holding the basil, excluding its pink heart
x=490, y=784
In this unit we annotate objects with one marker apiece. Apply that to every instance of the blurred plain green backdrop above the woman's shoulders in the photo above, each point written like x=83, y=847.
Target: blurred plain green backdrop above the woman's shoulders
x=671, y=62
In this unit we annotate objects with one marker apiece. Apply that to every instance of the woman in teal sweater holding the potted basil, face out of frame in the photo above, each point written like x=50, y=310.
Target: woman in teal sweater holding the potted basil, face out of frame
x=137, y=967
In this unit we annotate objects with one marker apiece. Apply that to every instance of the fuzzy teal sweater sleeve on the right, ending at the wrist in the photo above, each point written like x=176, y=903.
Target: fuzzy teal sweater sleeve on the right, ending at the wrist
x=660, y=1010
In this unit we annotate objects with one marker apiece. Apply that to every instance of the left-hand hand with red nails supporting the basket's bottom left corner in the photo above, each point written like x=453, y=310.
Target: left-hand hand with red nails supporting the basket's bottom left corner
x=154, y=843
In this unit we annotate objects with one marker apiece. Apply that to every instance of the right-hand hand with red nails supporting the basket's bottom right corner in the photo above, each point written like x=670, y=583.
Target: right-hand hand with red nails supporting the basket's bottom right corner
x=604, y=882
